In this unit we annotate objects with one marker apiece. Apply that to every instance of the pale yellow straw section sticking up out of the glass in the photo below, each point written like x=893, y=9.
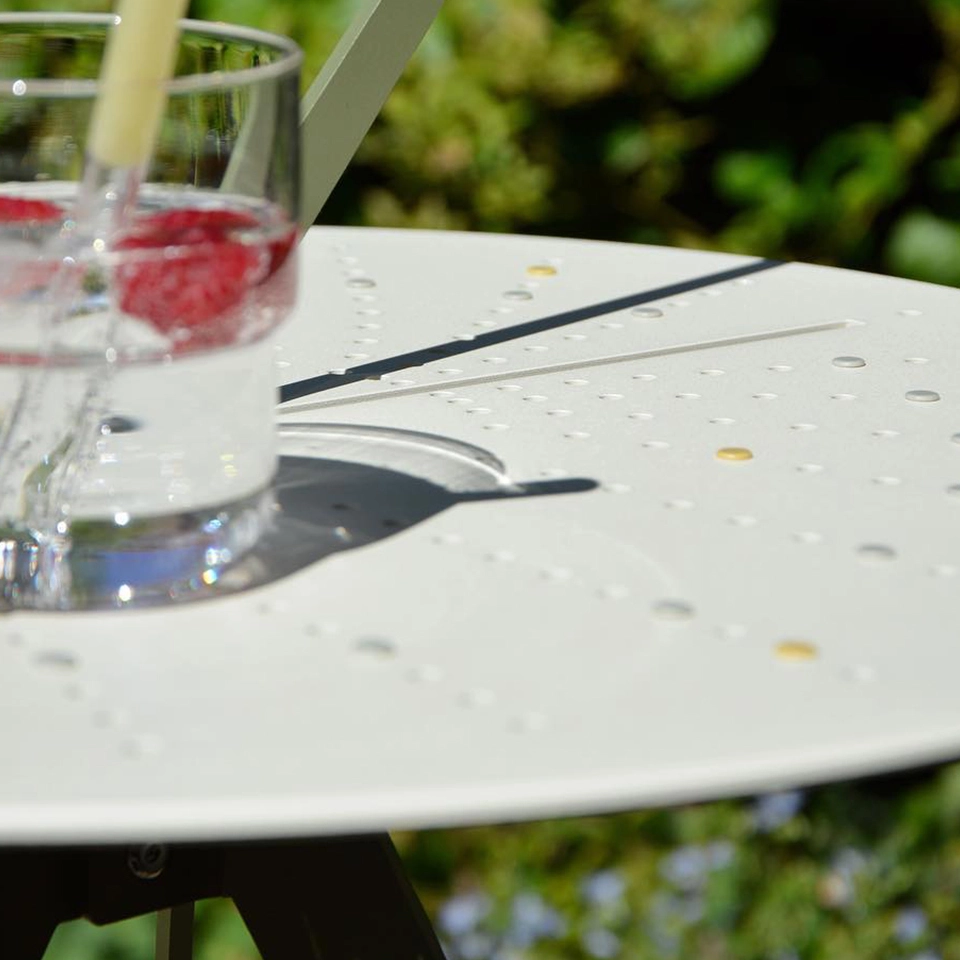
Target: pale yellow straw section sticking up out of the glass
x=138, y=62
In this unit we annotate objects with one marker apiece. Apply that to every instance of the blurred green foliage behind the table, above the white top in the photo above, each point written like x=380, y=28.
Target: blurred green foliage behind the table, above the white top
x=820, y=130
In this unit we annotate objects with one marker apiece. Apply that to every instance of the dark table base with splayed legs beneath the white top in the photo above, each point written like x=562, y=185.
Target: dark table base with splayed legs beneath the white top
x=340, y=899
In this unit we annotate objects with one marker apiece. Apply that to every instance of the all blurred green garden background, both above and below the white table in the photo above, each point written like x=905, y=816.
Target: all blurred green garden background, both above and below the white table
x=819, y=130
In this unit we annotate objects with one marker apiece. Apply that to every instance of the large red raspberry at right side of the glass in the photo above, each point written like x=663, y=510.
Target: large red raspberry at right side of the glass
x=190, y=291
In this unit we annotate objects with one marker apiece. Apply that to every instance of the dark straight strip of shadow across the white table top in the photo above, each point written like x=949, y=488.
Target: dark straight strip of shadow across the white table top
x=453, y=348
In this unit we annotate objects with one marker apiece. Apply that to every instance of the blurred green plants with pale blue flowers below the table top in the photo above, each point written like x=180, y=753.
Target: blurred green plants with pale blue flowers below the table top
x=859, y=871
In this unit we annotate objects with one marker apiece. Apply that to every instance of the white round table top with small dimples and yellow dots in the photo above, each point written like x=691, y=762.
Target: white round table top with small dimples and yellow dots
x=720, y=554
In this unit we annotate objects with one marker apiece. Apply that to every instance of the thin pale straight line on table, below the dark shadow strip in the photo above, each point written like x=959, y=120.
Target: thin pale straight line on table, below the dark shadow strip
x=449, y=384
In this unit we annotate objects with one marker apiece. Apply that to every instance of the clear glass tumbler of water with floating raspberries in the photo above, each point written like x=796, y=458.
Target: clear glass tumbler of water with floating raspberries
x=137, y=384
